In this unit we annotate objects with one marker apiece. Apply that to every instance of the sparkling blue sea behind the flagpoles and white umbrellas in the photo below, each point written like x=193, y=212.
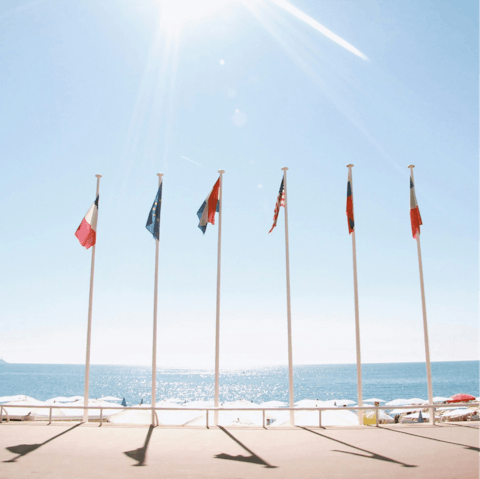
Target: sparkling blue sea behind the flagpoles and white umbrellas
x=385, y=381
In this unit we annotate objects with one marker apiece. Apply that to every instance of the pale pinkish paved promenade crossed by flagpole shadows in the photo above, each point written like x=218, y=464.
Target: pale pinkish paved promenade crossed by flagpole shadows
x=87, y=451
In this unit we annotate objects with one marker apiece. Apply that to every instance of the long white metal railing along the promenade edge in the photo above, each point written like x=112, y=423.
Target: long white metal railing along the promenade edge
x=431, y=409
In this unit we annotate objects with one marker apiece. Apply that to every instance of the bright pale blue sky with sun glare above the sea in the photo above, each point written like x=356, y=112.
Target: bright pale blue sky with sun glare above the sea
x=129, y=89
